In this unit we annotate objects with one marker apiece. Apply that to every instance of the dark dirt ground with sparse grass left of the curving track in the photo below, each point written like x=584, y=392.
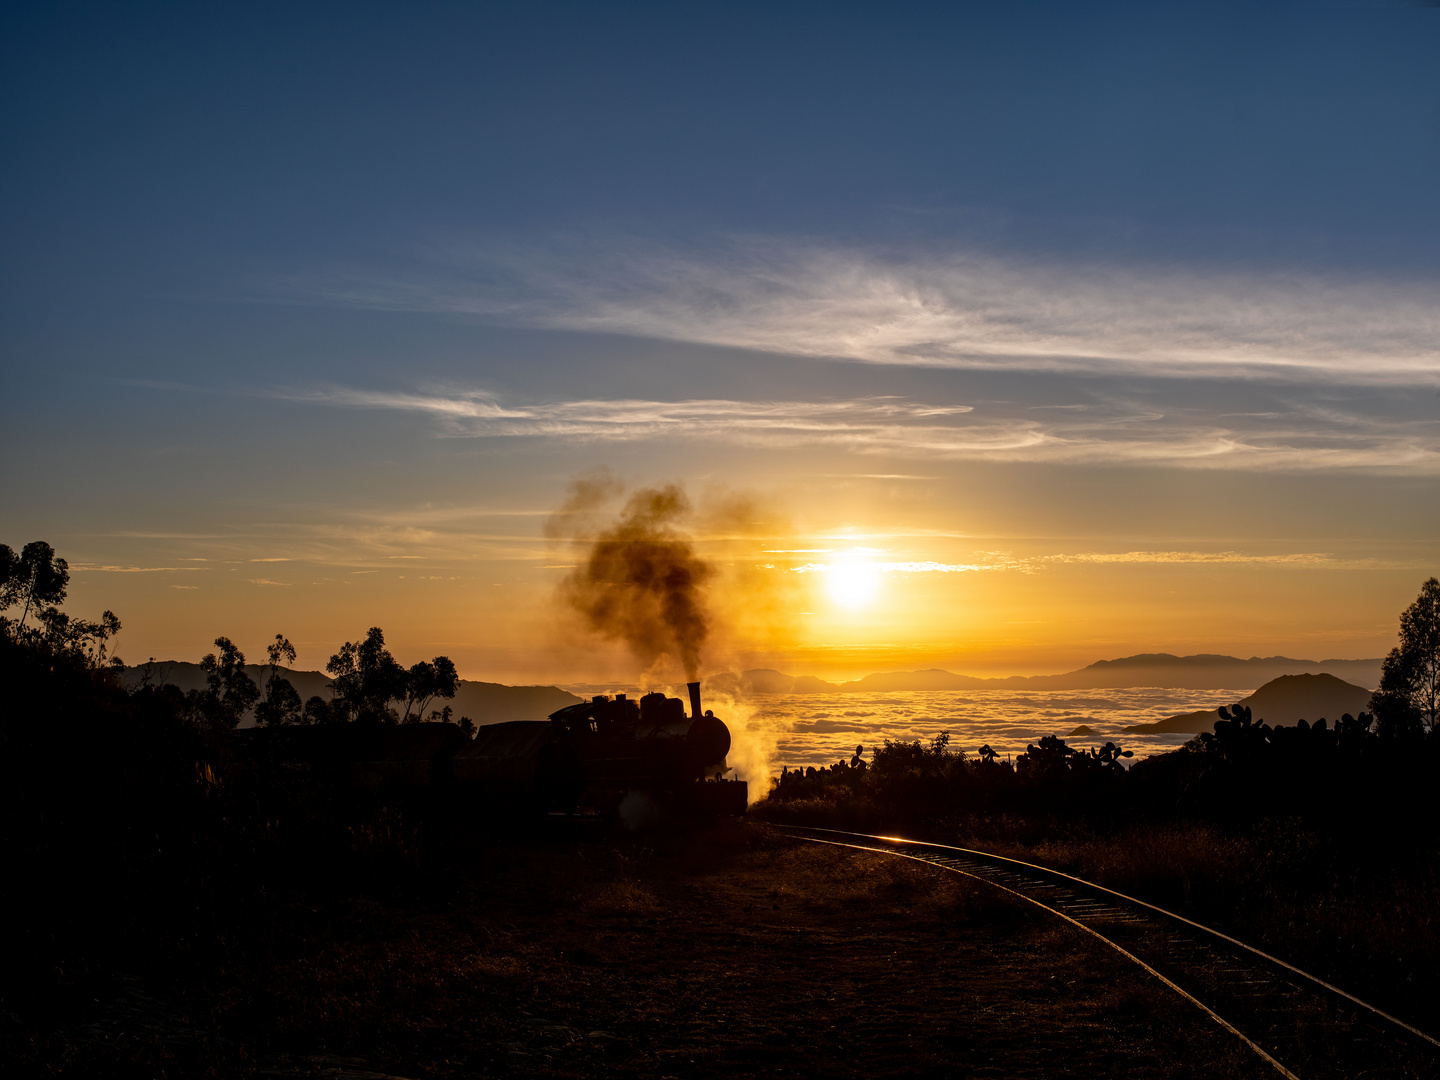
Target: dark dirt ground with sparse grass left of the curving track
x=729, y=953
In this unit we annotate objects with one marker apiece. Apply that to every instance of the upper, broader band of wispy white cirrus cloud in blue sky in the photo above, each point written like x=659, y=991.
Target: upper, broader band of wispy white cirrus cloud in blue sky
x=964, y=310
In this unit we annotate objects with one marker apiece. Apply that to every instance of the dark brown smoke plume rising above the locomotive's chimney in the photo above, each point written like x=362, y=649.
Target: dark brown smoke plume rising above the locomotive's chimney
x=642, y=581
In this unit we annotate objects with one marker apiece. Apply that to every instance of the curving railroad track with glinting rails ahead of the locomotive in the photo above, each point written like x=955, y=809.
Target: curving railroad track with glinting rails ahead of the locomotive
x=1302, y=1026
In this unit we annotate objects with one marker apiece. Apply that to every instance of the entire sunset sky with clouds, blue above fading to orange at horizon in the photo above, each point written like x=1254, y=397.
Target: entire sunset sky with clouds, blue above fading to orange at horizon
x=343, y=286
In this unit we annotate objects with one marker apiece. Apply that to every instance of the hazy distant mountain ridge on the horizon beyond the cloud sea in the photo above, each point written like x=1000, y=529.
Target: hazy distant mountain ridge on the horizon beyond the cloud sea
x=1203, y=672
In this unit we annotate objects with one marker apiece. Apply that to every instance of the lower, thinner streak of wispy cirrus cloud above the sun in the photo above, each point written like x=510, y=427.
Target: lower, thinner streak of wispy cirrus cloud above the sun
x=1310, y=437
